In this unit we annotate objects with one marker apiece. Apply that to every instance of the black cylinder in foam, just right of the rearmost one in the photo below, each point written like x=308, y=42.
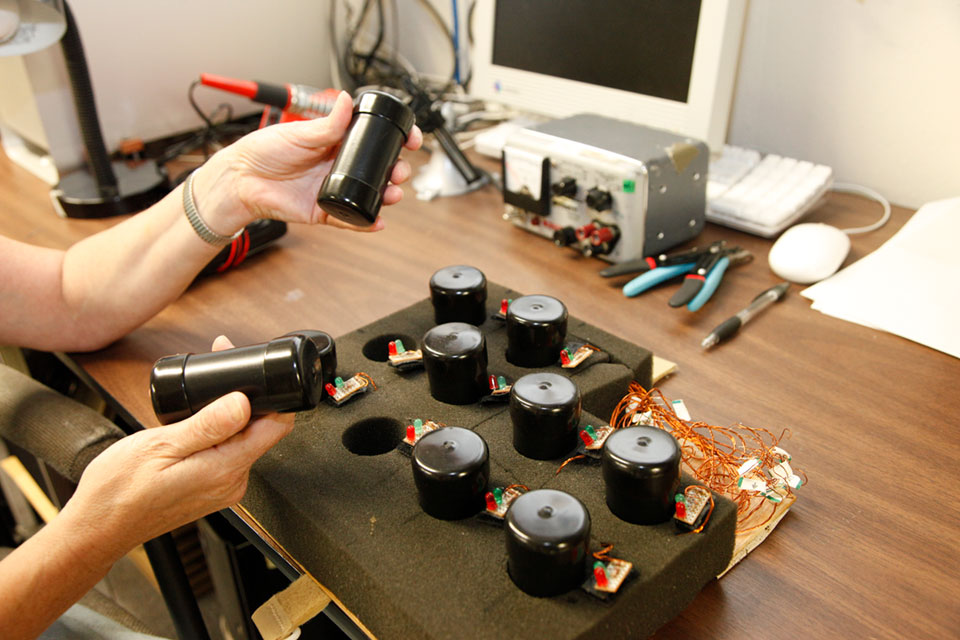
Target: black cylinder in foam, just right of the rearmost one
x=536, y=329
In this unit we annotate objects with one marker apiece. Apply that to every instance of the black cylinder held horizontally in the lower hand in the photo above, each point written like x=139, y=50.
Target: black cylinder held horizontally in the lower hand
x=281, y=375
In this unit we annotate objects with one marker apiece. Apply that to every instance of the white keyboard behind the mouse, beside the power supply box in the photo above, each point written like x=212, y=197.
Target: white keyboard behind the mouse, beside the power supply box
x=762, y=195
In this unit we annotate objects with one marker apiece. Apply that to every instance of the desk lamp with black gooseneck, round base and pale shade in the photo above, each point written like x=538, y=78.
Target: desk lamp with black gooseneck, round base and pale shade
x=103, y=188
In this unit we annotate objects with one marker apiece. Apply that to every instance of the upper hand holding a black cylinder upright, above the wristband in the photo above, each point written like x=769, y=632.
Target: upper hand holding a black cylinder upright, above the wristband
x=276, y=172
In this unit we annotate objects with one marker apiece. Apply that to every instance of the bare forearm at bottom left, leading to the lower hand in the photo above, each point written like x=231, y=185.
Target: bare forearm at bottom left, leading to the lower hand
x=48, y=573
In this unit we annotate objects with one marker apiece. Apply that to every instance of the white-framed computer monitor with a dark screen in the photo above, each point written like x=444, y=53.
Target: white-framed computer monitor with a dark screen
x=669, y=64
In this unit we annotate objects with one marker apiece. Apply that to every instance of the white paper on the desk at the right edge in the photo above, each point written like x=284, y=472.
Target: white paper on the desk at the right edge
x=910, y=286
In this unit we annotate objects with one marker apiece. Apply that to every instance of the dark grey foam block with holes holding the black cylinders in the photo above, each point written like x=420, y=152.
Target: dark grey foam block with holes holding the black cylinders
x=341, y=499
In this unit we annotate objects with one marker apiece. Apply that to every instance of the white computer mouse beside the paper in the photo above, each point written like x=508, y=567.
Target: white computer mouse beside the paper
x=808, y=252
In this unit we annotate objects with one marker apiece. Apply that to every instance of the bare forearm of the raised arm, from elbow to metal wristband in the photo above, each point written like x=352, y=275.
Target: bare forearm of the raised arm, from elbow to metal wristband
x=115, y=280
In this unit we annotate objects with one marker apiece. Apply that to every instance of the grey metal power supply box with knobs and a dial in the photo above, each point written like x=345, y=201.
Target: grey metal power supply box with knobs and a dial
x=604, y=187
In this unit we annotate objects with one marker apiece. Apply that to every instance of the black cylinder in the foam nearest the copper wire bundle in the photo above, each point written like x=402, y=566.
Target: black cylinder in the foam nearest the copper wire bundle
x=641, y=471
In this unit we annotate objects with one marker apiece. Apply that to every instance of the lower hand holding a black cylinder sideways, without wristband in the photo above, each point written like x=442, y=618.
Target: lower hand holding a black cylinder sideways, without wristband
x=158, y=479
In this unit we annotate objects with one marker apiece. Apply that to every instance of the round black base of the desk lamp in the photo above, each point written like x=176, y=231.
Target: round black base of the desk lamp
x=78, y=195
